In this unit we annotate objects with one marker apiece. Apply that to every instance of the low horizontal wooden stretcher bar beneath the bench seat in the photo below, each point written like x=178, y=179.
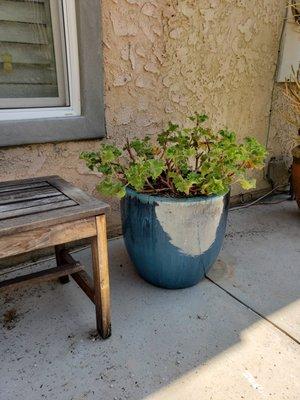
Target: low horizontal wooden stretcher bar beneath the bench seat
x=40, y=276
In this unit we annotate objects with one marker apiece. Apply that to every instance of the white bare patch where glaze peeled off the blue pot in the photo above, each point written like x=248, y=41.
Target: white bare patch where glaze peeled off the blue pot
x=191, y=226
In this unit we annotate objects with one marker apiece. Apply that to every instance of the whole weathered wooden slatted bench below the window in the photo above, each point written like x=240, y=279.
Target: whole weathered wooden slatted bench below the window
x=48, y=211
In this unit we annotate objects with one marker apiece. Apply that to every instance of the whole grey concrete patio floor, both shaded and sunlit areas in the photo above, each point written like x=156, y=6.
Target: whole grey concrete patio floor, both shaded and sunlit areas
x=234, y=336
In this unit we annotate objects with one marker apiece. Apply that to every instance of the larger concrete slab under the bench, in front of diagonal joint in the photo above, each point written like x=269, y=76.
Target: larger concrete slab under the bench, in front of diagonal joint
x=191, y=344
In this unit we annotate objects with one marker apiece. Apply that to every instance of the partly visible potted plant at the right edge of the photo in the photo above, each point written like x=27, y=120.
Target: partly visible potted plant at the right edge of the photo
x=292, y=93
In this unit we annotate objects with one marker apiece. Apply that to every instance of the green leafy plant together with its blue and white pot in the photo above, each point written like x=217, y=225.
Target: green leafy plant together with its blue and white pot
x=174, y=191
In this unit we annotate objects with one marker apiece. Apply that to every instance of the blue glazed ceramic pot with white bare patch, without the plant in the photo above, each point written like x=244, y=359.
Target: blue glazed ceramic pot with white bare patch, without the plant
x=173, y=242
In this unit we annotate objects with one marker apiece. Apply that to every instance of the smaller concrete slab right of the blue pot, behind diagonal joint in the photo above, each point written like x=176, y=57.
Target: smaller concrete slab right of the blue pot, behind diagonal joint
x=260, y=262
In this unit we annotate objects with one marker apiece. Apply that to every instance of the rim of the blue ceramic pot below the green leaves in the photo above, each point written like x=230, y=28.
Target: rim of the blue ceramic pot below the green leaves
x=164, y=199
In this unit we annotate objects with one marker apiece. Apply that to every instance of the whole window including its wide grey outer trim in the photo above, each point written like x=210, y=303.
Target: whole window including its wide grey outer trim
x=50, y=71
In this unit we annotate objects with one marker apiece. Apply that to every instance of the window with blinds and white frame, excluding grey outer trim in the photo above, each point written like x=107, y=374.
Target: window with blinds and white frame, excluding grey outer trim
x=34, y=55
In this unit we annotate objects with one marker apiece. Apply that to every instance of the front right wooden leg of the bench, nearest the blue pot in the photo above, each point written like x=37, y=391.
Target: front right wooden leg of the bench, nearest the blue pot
x=101, y=278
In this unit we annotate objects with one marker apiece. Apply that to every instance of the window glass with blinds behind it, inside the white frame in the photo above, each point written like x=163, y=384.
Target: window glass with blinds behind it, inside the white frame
x=32, y=56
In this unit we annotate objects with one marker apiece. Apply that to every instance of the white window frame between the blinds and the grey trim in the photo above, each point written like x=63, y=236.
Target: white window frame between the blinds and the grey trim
x=68, y=26
